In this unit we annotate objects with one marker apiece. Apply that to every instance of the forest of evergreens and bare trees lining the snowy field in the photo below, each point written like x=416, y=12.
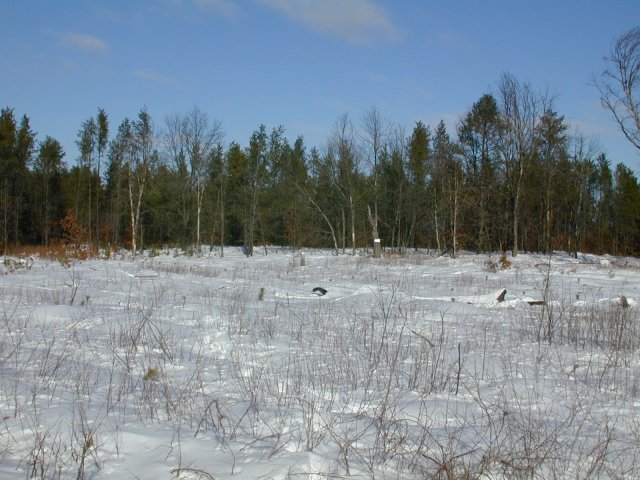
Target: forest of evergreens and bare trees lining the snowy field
x=513, y=176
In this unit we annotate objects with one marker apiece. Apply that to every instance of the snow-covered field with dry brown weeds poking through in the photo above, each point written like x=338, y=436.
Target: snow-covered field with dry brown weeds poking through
x=175, y=366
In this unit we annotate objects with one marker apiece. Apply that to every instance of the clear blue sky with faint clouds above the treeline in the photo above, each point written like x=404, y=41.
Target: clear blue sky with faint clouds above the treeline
x=302, y=63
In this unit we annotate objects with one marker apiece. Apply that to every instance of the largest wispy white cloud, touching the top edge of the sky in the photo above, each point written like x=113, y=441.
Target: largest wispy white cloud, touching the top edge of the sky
x=356, y=21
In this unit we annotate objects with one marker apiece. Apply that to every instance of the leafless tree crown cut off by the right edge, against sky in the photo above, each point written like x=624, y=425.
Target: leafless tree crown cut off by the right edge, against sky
x=619, y=84
